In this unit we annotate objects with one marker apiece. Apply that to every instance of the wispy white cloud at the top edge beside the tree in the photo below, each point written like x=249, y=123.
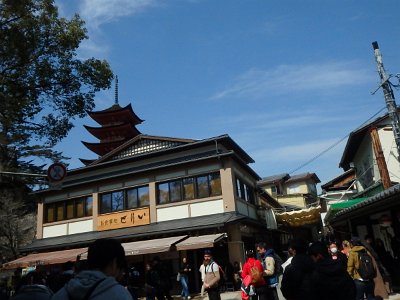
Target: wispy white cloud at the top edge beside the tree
x=97, y=12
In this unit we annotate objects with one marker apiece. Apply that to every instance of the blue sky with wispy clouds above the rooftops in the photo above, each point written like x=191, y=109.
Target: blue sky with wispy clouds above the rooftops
x=285, y=79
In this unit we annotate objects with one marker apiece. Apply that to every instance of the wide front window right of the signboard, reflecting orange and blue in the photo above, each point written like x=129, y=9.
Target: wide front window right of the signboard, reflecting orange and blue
x=189, y=188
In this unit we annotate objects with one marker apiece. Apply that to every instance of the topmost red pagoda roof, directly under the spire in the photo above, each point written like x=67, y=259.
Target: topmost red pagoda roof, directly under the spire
x=115, y=114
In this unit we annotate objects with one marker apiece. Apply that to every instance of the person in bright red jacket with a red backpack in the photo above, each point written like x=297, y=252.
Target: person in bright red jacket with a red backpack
x=253, y=280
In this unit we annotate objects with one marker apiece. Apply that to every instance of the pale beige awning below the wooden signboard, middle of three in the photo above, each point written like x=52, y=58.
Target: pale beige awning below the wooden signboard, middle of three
x=151, y=246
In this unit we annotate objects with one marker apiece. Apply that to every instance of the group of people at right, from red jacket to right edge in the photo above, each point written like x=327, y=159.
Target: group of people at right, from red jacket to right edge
x=351, y=271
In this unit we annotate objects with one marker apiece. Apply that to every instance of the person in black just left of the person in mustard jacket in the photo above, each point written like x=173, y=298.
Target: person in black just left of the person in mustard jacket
x=329, y=280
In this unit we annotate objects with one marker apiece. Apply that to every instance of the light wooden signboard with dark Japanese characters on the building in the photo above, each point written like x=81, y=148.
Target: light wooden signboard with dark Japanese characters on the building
x=130, y=218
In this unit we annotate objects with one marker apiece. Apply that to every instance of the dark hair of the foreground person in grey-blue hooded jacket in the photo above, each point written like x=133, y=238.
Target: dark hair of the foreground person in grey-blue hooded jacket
x=103, y=251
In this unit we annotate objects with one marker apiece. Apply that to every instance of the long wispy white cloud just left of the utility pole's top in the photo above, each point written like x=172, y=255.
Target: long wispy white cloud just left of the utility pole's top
x=285, y=79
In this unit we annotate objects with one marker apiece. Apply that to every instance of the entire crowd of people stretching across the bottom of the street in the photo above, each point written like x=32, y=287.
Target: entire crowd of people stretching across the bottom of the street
x=350, y=270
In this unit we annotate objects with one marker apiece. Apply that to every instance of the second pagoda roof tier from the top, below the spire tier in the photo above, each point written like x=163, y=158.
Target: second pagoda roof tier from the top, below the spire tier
x=126, y=131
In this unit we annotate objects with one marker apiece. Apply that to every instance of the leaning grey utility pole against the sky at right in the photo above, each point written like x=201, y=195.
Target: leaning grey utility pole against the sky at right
x=389, y=96
